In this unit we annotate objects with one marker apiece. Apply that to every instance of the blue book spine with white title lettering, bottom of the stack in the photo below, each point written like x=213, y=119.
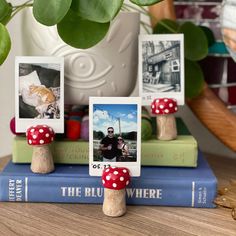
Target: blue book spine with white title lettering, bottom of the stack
x=83, y=190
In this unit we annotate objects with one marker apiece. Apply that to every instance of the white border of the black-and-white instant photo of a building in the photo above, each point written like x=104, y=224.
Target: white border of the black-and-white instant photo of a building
x=147, y=98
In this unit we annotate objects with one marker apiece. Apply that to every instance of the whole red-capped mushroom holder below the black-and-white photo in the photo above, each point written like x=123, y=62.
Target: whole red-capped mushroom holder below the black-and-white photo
x=164, y=108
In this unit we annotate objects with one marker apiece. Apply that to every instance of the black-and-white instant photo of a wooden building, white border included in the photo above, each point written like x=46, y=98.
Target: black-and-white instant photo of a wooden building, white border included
x=161, y=67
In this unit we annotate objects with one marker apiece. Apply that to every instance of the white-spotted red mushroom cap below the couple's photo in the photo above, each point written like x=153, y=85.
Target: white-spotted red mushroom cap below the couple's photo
x=115, y=178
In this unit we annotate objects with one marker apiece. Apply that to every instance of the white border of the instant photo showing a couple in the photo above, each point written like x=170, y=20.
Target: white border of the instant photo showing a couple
x=134, y=167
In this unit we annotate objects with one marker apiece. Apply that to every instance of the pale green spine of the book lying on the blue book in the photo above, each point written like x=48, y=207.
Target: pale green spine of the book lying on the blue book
x=179, y=152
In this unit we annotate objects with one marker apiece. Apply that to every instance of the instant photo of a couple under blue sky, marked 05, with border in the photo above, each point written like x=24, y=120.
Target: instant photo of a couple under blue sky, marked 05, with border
x=114, y=134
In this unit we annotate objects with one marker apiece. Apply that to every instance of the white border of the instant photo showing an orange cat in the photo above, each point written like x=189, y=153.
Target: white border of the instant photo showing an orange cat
x=22, y=124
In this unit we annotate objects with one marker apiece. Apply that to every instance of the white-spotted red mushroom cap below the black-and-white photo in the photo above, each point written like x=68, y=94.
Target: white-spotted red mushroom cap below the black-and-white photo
x=164, y=106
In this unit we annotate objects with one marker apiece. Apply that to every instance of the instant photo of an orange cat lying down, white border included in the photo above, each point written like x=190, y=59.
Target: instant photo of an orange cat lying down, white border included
x=39, y=92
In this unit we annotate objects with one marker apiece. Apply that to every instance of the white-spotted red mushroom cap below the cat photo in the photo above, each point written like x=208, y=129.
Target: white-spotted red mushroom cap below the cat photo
x=40, y=135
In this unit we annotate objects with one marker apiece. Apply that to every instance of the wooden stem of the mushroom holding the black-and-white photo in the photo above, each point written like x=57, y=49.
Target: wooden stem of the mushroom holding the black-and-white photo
x=166, y=127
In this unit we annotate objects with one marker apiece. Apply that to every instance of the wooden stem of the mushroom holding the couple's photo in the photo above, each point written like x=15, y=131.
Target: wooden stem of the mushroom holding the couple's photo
x=114, y=204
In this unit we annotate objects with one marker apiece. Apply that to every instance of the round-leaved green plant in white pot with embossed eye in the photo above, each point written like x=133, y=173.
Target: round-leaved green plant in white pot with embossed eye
x=84, y=24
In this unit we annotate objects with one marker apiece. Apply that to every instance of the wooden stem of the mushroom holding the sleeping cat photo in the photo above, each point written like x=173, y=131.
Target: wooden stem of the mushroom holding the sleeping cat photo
x=42, y=160
